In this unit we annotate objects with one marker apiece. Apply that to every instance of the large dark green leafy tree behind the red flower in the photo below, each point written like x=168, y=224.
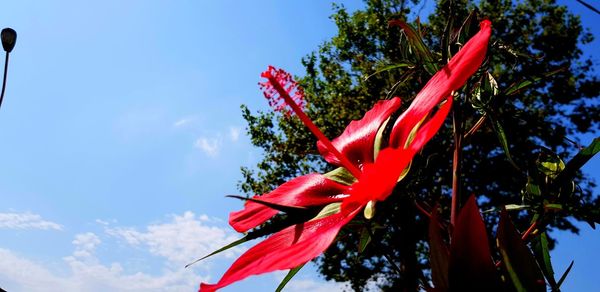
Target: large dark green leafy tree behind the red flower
x=534, y=94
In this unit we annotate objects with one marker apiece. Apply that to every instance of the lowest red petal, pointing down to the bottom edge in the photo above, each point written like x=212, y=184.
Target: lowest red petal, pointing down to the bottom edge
x=286, y=249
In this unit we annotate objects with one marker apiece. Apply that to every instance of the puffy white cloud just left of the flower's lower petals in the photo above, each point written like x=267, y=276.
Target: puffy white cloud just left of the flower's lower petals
x=180, y=241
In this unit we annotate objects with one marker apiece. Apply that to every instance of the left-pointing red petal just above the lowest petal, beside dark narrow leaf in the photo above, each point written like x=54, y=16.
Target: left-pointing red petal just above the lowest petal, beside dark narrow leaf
x=307, y=190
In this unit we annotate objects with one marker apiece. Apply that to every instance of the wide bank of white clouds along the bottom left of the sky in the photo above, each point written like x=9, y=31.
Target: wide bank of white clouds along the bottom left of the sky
x=177, y=241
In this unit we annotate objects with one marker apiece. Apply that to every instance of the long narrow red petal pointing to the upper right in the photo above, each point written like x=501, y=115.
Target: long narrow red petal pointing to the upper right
x=450, y=78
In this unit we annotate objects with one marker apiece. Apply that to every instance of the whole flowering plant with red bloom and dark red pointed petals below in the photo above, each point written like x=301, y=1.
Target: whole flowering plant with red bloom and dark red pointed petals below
x=372, y=155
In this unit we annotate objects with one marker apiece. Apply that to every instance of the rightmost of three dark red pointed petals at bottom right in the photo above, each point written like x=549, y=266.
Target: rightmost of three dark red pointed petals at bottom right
x=517, y=258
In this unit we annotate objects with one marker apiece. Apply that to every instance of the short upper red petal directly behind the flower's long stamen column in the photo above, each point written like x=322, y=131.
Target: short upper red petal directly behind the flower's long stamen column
x=356, y=142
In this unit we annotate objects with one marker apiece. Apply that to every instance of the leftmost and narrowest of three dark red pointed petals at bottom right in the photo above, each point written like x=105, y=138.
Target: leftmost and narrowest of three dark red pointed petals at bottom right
x=438, y=254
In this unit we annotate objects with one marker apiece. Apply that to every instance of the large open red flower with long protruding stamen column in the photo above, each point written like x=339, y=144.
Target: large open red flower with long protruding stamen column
x=354, y=150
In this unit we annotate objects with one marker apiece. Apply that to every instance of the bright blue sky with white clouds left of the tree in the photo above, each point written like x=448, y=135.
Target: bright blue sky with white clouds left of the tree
x=121, y=133
